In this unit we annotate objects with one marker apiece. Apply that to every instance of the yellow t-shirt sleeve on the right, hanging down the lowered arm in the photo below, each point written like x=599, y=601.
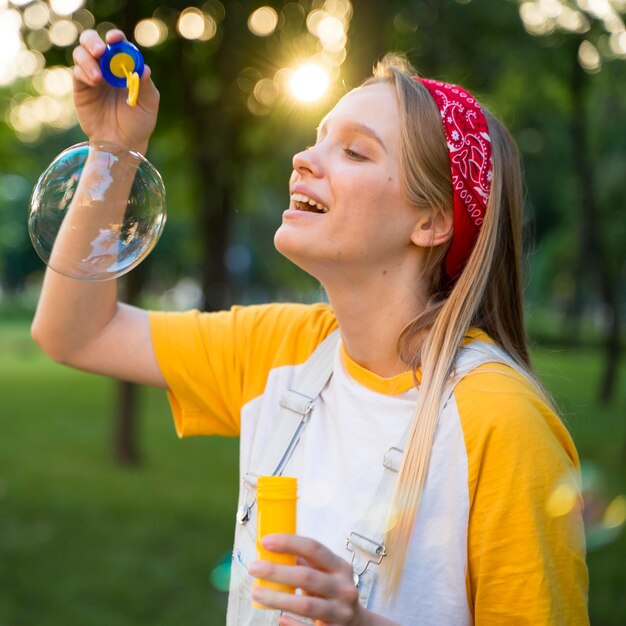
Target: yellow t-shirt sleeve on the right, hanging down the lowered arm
x=526, y=550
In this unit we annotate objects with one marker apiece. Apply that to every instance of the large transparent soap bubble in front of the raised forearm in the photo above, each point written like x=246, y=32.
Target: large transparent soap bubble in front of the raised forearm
x=97, y=211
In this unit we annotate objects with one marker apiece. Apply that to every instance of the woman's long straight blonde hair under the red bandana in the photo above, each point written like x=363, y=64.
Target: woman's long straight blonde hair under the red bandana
x=487, y=294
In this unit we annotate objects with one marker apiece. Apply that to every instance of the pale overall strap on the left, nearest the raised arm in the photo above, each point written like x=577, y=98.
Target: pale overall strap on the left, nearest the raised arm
x=296, y=406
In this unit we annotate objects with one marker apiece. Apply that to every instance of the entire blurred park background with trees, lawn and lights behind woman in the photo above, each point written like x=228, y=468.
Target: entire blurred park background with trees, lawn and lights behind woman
x=105, y=517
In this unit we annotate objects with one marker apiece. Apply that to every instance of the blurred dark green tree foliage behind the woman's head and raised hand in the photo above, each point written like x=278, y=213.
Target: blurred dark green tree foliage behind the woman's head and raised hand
x=226, y=174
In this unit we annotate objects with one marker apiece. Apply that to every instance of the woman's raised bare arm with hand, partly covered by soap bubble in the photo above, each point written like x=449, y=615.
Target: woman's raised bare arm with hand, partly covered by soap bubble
x=80, y=323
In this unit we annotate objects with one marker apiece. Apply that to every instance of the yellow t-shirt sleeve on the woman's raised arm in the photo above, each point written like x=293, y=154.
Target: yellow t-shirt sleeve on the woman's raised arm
x=214, y=363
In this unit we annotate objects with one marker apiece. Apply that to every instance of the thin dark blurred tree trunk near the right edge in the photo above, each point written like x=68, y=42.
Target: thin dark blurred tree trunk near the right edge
x=593, y=253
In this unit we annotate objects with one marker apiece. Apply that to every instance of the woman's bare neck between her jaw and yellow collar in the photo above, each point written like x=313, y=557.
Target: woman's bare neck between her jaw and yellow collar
x=373, y=315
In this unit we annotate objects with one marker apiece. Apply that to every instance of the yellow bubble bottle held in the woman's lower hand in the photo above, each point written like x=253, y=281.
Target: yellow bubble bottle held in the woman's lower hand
x=276, y=498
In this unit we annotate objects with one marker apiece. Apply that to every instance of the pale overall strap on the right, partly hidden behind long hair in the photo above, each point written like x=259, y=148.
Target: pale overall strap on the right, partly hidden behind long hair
x=366, y=541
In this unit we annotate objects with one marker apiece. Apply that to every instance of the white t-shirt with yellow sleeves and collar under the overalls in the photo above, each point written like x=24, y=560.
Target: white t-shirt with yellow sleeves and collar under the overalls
x=491, y=545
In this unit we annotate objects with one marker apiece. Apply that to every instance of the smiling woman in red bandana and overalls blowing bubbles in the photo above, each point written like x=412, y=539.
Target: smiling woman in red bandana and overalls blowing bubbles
x=407, y=209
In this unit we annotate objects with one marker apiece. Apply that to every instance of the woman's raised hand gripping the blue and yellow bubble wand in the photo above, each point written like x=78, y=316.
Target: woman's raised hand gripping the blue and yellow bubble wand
x=102, y=110
